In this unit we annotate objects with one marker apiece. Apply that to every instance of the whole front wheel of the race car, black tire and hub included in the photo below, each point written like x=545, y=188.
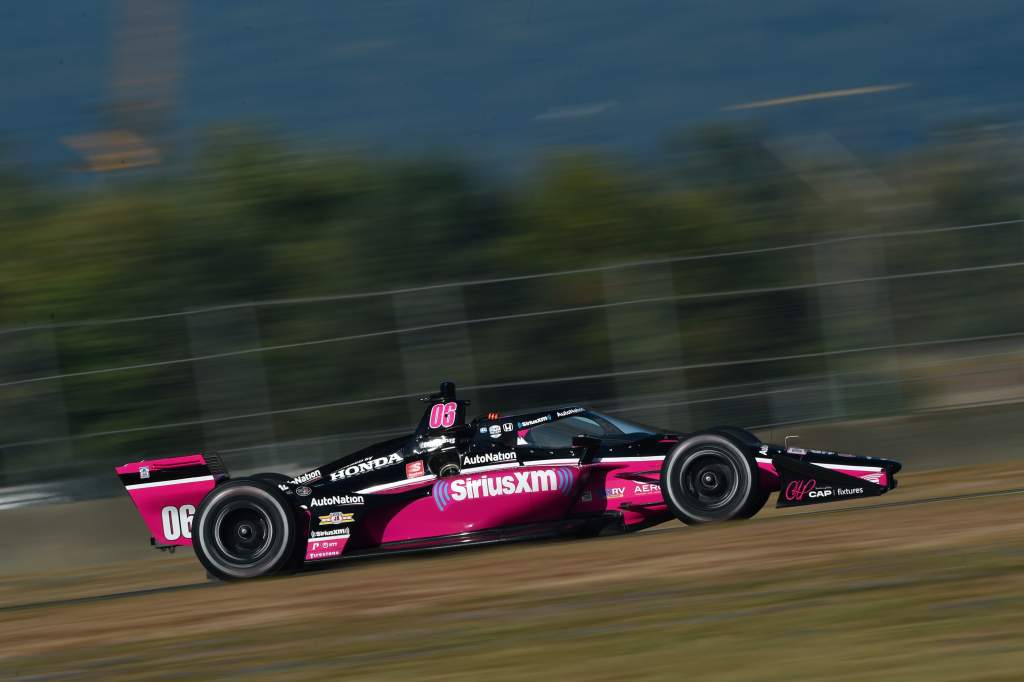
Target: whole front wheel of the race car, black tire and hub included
x=711, y=478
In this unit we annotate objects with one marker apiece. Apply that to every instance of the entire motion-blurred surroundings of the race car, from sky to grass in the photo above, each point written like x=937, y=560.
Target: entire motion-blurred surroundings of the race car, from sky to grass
x=265, y=230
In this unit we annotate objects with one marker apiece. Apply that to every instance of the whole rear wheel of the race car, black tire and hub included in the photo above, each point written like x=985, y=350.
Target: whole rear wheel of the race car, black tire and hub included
x=245, y=529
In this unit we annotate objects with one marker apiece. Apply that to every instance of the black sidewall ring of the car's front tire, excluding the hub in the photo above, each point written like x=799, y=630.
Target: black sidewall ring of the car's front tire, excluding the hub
x=748, y=489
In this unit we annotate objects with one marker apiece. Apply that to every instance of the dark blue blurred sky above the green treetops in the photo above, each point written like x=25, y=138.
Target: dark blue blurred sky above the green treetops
x=502, y=81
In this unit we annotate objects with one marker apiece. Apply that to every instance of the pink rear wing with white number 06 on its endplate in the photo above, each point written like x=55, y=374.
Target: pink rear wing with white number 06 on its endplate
x=167, y=493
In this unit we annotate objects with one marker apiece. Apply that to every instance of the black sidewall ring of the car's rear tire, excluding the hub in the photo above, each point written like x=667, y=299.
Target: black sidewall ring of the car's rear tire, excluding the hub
x=267, y=498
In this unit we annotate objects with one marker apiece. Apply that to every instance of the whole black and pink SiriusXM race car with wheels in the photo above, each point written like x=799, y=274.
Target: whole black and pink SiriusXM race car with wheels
x=569, y=472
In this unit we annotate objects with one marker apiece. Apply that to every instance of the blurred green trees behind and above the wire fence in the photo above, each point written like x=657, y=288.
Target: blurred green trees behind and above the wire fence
x=251, y=217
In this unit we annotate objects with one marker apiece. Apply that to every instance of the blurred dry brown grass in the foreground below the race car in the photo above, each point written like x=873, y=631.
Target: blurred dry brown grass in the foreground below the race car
x=930, y=592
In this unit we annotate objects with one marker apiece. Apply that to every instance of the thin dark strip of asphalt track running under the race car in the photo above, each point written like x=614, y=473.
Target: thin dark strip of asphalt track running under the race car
x=785, y=518
